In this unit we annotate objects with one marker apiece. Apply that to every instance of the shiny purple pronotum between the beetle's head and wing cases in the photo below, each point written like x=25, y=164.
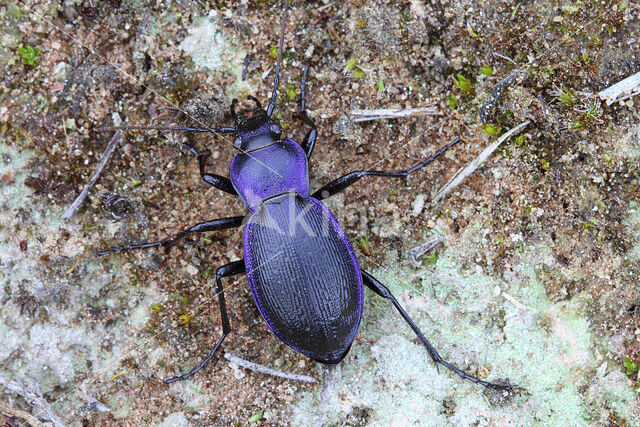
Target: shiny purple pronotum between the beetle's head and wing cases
x=276, y=169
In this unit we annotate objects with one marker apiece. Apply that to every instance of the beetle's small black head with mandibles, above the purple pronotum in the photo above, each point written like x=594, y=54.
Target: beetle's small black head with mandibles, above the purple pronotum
x=254, y=129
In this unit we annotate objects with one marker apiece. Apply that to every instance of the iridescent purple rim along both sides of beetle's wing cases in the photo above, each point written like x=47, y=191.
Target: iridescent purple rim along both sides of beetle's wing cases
x=354, y=260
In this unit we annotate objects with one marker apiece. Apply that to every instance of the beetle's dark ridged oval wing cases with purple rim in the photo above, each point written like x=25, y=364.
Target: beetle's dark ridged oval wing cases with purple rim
x=304, y=276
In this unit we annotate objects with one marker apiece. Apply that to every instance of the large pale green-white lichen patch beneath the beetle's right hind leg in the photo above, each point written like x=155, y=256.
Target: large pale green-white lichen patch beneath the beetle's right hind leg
x=498, y=328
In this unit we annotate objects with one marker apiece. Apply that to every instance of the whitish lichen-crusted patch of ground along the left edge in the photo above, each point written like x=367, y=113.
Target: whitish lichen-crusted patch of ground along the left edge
x=50, y=283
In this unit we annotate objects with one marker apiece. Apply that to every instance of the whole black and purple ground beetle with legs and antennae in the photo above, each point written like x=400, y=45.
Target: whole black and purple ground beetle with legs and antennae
x=301, y=267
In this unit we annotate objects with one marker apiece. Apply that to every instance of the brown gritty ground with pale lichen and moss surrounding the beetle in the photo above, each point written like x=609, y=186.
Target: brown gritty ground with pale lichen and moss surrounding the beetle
x=535, y=279
